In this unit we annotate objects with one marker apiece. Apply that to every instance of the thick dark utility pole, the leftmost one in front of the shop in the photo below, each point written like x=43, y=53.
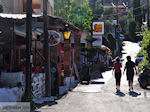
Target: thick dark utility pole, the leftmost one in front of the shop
x=28, y=50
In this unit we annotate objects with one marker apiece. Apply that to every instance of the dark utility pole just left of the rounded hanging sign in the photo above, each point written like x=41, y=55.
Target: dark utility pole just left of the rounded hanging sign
x=46, y=52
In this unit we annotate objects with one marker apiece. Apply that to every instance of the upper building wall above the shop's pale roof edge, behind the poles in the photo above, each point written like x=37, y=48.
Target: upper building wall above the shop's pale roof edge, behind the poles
x=19, y=6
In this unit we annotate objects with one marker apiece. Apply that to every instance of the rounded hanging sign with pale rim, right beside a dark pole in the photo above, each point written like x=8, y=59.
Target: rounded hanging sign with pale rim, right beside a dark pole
x=54, y=38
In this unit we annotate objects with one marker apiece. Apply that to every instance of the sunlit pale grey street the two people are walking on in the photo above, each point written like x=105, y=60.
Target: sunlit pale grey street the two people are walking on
x=100, y=95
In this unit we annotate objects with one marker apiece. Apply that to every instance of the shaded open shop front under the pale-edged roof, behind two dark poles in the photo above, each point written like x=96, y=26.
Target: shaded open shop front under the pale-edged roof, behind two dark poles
x=13, y=50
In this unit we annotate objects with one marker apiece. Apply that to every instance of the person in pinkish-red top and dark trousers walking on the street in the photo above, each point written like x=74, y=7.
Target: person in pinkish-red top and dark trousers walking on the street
x=117, y=70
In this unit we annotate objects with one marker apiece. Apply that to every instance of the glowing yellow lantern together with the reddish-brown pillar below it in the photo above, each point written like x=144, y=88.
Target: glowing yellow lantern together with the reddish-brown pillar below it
x=67, y=51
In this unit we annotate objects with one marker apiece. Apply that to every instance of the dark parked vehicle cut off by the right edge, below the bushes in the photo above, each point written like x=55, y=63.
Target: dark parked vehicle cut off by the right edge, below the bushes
x=144, y=78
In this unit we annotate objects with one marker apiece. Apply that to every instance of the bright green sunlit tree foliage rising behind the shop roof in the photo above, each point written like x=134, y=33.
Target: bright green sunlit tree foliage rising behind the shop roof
x=79, y=15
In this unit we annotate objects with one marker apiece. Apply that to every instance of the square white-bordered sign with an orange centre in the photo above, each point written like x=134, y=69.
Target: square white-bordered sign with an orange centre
x=98, y=28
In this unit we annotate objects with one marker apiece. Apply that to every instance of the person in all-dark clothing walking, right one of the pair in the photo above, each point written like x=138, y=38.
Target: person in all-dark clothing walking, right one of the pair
x=129, y=67
